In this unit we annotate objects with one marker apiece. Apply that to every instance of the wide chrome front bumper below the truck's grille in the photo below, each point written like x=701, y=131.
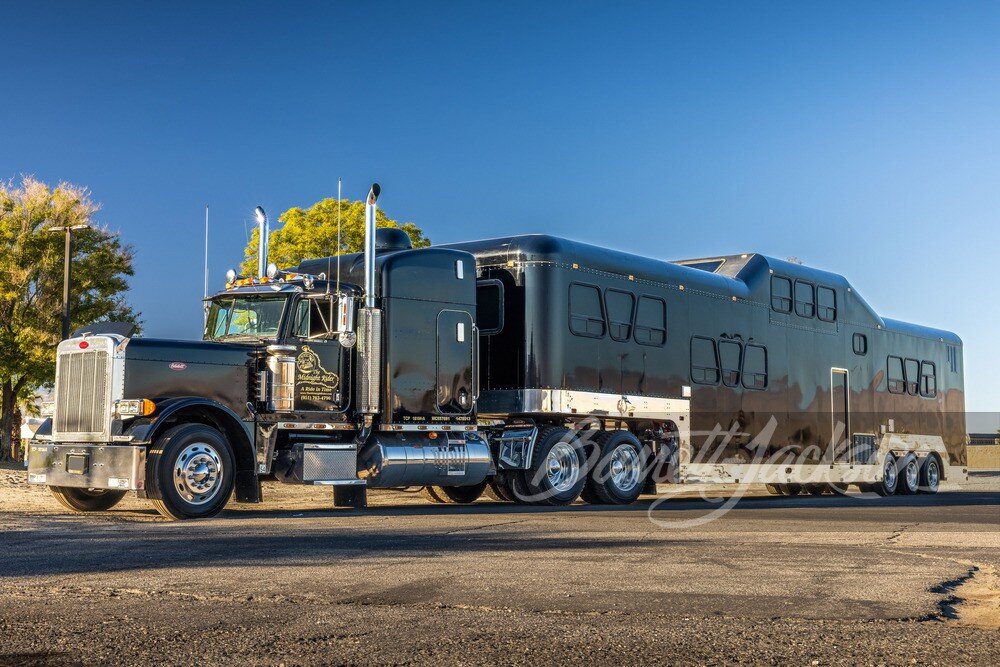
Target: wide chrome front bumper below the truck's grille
x=119, y=467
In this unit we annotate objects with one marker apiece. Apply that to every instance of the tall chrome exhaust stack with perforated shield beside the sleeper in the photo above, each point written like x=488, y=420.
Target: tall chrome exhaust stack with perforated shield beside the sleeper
x=370, y=322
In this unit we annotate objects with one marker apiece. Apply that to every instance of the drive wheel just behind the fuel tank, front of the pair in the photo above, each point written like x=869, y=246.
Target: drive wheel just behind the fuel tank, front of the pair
x=556, y=475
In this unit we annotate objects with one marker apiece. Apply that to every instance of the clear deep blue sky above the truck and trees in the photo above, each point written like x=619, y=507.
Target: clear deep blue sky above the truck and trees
x=863, y=138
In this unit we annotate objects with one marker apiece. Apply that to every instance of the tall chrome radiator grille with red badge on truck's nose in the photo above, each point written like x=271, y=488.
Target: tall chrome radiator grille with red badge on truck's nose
x=82, y=392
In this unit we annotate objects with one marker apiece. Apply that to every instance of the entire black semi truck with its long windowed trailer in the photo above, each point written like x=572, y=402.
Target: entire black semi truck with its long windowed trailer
x=531, y=368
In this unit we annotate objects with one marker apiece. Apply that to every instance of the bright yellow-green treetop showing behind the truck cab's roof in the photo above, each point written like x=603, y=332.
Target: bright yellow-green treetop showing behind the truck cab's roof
x=308, y=233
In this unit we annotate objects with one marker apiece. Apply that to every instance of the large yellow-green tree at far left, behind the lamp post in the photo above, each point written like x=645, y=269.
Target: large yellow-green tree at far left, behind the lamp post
x=31, y=274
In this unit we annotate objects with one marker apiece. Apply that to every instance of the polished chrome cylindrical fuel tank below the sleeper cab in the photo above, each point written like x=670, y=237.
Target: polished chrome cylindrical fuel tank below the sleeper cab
x=417, y=459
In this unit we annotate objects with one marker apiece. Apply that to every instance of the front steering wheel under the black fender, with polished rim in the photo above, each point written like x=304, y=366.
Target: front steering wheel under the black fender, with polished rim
x=191, y=468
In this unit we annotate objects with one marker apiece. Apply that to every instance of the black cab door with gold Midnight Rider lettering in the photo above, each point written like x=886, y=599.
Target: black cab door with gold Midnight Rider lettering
x=320, y=362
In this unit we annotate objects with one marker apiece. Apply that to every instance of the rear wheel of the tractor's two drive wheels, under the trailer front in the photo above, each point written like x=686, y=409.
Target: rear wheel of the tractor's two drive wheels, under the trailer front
x=616, y=478
